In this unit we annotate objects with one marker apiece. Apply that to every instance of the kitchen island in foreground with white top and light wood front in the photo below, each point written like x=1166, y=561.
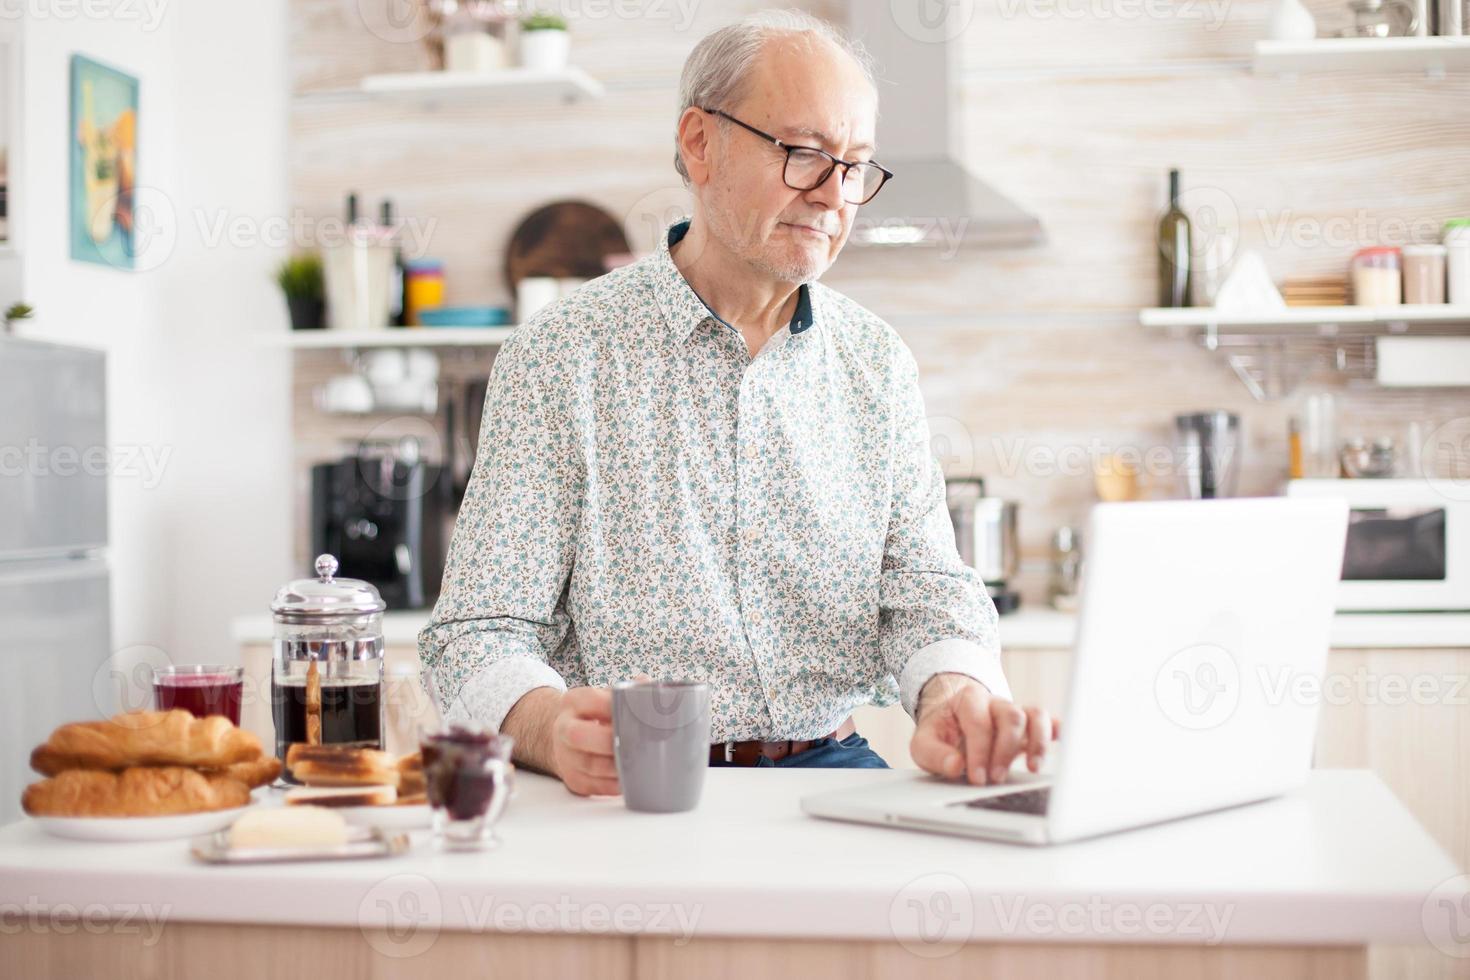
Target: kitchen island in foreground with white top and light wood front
x=749, y=887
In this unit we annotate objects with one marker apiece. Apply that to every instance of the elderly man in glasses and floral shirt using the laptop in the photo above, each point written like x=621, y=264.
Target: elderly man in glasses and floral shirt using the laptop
x=709, y=466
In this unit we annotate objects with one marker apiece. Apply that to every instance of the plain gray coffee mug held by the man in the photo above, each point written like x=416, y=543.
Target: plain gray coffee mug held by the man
x=662, y=743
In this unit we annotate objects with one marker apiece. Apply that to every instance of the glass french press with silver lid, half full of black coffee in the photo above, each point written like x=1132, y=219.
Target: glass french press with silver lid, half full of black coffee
x=327, y=668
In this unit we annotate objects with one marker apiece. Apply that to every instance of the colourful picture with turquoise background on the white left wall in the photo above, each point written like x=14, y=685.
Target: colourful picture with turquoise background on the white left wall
x=104, y=139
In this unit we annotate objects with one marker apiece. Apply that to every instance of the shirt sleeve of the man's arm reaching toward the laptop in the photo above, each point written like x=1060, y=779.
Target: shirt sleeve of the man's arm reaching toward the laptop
x=934, y=612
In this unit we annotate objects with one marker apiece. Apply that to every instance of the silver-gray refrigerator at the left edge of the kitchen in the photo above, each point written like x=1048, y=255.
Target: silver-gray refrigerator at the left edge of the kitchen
x=55, y=615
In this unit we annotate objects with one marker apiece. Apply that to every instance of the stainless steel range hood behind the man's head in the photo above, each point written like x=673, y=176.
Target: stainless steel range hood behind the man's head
x=934, y=199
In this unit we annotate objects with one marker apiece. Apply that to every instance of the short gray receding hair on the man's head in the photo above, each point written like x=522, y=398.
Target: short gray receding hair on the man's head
x=720, y=67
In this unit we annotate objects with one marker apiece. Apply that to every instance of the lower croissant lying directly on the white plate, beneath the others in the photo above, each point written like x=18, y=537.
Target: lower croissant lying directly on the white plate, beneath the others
x=135, y=793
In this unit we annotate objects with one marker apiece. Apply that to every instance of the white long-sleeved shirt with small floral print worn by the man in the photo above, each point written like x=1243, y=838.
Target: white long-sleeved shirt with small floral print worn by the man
x=649, y=497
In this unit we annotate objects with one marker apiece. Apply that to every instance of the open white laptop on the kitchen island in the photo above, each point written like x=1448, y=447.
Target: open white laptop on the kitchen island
x=1196, y=678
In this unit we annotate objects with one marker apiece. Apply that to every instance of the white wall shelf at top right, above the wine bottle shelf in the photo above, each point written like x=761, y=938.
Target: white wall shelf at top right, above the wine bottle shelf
x=1433, y=55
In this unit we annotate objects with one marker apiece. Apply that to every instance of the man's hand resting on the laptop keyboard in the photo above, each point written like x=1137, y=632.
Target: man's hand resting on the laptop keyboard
x=967, y=731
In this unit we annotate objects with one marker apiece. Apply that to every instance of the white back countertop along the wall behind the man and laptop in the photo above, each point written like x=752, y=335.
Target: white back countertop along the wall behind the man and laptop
x=1041, y=628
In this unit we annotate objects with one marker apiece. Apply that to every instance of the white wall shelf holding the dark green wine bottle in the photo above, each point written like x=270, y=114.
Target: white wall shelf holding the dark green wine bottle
x=1322, y=320
